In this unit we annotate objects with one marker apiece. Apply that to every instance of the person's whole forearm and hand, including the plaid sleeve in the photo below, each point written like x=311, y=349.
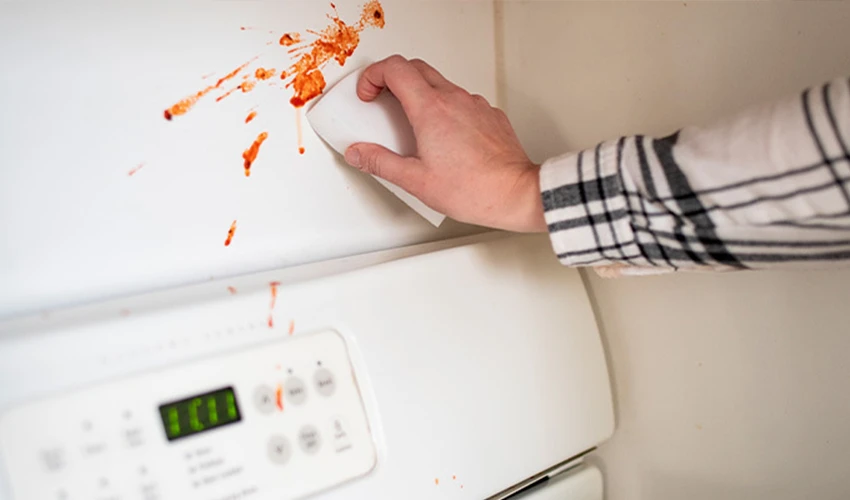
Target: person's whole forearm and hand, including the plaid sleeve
x=765, y=188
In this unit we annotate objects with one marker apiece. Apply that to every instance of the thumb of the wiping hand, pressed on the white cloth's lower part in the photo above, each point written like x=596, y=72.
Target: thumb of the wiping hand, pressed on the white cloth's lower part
x=381, y=162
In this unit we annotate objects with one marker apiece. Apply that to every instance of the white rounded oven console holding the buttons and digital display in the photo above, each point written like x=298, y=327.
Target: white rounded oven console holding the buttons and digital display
x=454, y=374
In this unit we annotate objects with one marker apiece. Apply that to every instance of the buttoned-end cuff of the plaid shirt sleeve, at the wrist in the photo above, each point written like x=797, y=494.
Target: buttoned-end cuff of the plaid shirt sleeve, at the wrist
x=586, y=209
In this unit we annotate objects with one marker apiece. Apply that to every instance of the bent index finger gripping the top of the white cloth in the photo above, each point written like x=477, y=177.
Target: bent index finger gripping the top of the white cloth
x=402, y=79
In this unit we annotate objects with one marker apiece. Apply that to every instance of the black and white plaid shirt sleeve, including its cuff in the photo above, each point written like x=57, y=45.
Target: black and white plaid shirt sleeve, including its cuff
x=769, y=187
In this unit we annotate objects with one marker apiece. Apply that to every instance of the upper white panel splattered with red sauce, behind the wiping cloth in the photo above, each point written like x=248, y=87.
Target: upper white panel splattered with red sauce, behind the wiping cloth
x=102, y=196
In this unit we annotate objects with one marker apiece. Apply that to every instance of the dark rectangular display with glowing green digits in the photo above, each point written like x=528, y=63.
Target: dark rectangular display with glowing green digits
x=200, y=413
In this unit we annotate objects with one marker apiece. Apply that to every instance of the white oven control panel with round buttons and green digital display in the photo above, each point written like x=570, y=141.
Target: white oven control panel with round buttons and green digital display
x=283, y=420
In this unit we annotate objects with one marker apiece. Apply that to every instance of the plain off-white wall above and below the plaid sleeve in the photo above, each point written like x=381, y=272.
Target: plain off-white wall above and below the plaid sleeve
x=727, y=386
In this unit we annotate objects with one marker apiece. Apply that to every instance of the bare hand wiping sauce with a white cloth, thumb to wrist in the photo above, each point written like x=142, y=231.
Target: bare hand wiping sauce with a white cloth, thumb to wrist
x=470, y=164
